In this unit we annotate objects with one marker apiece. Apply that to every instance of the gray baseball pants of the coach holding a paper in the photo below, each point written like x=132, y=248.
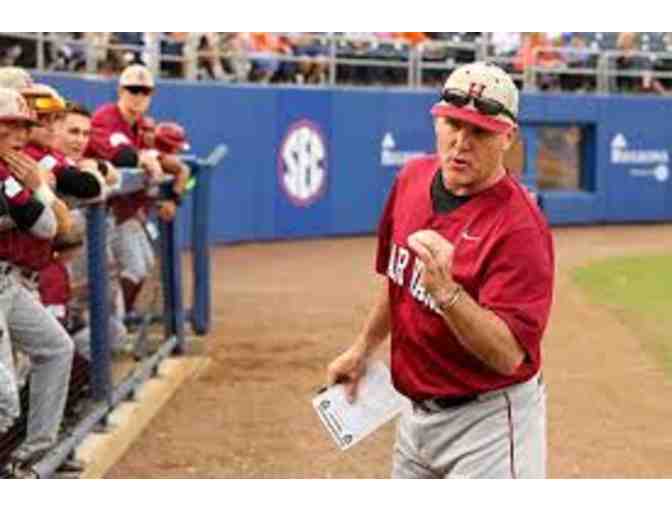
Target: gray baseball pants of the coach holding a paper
x=500, y=435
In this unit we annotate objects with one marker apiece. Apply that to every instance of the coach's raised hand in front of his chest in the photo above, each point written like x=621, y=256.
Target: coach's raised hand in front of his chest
x=436, y=254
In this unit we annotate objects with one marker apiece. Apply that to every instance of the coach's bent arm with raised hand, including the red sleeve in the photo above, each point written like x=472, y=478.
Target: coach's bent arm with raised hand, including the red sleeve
x=505, y=324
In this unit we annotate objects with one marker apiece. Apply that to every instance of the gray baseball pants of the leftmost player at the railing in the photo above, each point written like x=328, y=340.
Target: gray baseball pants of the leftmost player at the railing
x=34, y=331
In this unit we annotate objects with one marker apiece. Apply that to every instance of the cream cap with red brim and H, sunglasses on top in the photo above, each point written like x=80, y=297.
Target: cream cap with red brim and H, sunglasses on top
x=482, y=94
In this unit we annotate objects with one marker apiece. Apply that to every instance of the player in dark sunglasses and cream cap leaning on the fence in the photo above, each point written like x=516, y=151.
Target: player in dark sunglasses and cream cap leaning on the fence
x=115, y=136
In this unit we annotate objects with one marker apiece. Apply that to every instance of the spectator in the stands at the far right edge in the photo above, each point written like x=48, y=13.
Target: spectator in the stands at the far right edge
x=630, y=60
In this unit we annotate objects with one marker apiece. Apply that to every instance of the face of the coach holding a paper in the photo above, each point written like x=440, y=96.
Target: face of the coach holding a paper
x=470, y=156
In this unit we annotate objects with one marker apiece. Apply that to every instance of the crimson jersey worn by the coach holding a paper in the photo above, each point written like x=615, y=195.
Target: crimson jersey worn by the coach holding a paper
x=504, y=260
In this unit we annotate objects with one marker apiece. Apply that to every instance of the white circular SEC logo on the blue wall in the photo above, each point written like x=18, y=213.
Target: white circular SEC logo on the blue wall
x=302, y=163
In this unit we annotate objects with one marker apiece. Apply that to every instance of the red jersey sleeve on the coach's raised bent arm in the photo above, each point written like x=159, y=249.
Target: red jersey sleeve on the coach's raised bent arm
x=518, y=286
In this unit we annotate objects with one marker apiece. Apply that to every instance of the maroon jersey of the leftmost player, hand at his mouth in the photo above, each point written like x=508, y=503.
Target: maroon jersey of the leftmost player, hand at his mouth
x=16, y=246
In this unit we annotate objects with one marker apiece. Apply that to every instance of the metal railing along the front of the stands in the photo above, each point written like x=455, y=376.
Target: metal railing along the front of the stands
x=410, y=66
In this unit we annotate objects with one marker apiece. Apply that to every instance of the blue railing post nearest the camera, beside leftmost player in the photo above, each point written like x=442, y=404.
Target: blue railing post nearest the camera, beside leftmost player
x=100, y=372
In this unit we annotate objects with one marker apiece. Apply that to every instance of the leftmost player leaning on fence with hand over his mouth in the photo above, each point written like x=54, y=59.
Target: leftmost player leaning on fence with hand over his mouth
x=24, y=321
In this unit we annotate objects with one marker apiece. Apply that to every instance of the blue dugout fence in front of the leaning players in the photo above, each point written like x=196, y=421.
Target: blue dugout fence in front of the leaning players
x=161, y=329
